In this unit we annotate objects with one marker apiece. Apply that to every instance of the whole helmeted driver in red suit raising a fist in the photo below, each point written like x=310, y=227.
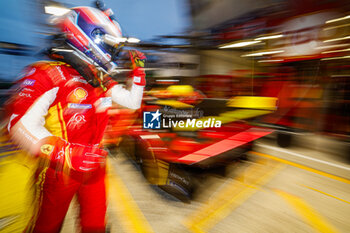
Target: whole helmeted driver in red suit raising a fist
x=59, y=115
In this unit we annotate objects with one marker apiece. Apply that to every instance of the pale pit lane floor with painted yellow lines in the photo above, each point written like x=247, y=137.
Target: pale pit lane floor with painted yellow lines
x=272, y=192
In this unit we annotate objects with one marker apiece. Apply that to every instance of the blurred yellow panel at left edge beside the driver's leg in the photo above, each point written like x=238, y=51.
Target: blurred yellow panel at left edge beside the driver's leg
x=16, y=196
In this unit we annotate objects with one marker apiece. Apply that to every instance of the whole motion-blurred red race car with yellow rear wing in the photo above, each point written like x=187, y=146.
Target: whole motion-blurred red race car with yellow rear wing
x=172, y=157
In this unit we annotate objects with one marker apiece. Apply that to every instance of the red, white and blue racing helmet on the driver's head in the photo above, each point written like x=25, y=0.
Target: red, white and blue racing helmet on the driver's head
x=94, y=34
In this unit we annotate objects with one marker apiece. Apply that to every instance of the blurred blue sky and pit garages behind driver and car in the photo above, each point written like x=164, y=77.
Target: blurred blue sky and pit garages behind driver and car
x=293, y=50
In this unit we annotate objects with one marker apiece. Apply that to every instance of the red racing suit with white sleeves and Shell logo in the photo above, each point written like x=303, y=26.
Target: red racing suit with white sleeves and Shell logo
x=53, y=99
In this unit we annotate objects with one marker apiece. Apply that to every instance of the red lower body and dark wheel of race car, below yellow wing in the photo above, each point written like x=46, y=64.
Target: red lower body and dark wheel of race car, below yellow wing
x=169, y=159
